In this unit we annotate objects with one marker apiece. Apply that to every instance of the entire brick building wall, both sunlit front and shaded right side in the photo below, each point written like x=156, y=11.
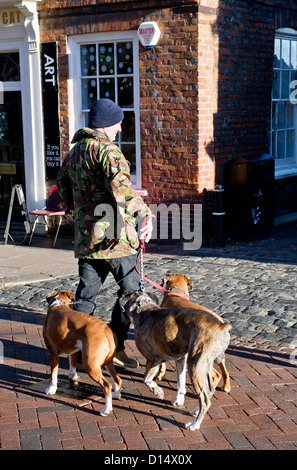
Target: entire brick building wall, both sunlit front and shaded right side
x=205, y=90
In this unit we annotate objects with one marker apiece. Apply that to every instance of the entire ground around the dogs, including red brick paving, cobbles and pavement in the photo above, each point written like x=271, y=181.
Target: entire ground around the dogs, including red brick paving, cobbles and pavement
x=252, y=285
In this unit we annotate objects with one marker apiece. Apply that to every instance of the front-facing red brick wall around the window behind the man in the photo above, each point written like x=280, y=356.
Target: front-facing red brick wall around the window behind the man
x=168, y=84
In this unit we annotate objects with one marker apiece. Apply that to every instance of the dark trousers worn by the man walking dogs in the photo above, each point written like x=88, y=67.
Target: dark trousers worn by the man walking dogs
x=92, y=274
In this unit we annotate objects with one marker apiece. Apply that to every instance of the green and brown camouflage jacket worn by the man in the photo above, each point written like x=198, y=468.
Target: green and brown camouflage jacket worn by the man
x=95, y=181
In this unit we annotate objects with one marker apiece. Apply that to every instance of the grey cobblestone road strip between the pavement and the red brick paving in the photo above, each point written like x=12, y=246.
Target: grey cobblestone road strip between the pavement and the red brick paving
x=251, y=285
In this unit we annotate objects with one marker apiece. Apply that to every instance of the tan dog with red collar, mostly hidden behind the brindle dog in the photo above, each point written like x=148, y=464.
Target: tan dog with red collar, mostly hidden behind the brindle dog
x=180, y=284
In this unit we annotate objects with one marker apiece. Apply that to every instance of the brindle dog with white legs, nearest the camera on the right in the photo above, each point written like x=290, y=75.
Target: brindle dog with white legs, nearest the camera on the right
x=183, y=334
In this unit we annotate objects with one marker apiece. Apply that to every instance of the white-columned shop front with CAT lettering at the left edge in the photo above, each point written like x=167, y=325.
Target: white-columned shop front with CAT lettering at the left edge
x=21, y=133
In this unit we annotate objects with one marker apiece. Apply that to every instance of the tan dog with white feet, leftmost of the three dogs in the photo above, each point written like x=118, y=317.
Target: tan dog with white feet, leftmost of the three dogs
x=67, y=331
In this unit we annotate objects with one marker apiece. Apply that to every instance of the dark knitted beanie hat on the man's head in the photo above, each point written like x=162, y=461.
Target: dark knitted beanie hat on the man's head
x=105, y=113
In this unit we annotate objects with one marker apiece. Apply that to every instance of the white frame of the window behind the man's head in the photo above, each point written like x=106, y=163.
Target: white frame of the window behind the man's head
x=76, y=116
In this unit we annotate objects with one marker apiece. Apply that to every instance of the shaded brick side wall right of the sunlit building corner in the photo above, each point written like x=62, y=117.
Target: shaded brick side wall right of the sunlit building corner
x=245, y=71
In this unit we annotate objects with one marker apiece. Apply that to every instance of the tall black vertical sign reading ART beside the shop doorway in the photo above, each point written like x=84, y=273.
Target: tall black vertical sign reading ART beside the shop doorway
x=51, y=121
